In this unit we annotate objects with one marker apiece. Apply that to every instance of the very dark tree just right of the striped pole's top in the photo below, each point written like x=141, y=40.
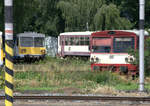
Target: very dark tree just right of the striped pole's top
x=23, y=11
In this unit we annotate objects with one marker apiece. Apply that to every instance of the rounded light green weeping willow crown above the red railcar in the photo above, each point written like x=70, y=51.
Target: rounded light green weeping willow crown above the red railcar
x=108, y=18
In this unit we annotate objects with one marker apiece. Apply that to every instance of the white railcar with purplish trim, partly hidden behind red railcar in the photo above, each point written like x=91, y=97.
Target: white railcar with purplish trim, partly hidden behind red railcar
x=74, y=44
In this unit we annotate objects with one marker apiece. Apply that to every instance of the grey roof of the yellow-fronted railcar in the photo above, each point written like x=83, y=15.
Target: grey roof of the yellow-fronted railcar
x=30, y=34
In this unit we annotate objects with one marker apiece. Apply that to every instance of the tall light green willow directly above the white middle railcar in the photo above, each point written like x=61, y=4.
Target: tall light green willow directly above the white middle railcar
x=77, y=13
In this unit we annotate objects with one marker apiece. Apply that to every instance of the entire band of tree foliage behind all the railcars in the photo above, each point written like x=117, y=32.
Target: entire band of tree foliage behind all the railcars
x=54, y=16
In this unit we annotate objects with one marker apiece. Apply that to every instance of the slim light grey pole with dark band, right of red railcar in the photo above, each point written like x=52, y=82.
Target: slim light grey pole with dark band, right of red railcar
x=141, y=45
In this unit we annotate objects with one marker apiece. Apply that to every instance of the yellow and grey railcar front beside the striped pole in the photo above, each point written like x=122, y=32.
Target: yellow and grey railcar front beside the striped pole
x=29, y=46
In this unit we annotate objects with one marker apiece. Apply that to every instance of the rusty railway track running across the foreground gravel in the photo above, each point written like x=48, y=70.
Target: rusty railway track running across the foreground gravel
x=104, y=98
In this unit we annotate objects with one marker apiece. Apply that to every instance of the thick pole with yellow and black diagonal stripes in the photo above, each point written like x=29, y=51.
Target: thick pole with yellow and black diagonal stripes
x=8, y=52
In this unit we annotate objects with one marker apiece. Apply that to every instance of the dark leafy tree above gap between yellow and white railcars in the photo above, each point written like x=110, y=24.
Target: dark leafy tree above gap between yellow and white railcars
x=45, y=18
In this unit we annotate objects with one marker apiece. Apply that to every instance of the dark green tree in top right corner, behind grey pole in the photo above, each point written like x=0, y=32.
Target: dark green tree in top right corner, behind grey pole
x=130, y=9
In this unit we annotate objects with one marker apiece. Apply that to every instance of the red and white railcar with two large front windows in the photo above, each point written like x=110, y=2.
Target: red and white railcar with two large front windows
x=109, y=50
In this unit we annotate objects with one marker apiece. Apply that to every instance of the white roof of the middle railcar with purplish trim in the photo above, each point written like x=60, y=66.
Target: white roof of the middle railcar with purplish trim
x=77, y=33
